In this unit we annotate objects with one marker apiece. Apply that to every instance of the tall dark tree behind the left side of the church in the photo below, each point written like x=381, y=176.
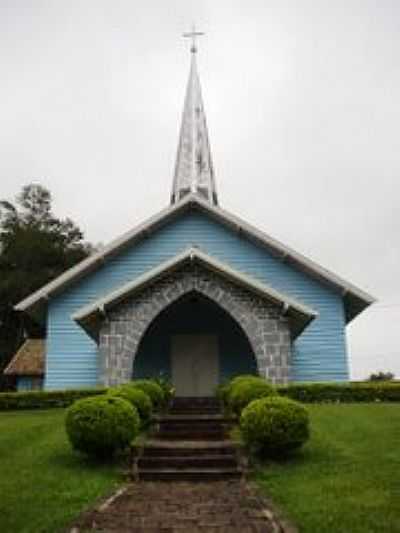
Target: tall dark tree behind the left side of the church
x=35, y=247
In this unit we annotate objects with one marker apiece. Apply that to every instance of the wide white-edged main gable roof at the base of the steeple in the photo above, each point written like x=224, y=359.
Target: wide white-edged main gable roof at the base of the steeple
x=355, y=299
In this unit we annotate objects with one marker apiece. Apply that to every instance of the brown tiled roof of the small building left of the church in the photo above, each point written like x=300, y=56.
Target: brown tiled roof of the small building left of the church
x=28, y=360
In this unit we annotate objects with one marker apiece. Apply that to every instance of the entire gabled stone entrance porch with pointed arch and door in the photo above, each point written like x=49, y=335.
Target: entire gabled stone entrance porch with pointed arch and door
x=196, y=320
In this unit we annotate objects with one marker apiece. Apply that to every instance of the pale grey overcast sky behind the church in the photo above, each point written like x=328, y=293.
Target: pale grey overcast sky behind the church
x=303, y=108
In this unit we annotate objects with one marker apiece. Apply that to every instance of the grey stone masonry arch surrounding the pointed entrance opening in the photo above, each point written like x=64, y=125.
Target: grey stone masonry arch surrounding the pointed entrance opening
x=122, y=330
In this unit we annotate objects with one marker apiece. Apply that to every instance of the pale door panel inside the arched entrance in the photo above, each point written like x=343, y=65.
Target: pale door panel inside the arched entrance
x=195, y=364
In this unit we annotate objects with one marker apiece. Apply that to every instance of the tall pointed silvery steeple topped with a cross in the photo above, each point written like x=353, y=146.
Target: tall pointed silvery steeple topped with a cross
x=194, y=172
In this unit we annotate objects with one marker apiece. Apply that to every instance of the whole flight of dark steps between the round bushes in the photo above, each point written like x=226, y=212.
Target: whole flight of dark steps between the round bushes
x=190, y=445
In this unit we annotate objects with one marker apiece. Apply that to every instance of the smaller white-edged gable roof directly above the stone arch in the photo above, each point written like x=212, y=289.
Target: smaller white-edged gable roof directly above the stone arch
x=298, y=314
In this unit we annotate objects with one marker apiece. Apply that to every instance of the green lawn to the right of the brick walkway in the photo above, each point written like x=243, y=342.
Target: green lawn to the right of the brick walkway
x=347, y=478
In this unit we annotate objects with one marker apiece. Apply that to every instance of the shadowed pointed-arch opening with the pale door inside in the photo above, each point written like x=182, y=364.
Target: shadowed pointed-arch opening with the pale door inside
x=196, y=344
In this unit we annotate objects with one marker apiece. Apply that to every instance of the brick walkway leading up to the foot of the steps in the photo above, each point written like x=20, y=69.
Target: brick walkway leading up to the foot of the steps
x=182, y=507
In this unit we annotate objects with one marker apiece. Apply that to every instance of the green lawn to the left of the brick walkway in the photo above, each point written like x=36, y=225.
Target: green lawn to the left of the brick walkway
x=43, y=484
